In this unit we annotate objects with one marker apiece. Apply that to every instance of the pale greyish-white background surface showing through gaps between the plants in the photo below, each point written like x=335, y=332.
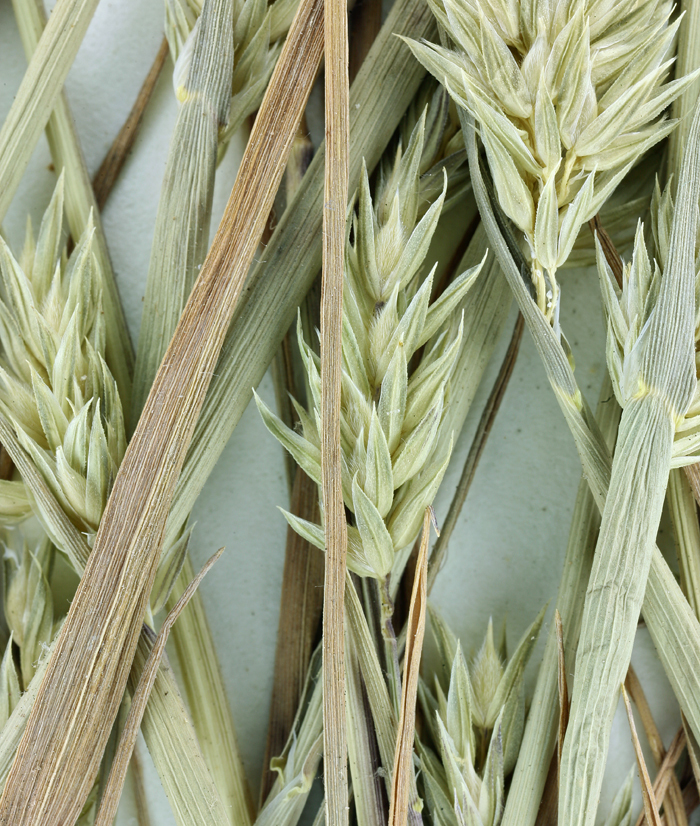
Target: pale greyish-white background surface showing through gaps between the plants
x=505, y=556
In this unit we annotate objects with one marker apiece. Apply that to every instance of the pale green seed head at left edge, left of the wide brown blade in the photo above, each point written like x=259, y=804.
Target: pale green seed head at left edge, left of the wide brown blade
x=54, y=383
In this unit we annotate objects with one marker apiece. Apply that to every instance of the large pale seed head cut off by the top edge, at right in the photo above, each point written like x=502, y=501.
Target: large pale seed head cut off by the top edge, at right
x=568, y=95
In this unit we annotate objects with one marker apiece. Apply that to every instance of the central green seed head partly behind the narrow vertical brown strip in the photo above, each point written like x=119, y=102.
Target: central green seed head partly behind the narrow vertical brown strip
x=391, y=410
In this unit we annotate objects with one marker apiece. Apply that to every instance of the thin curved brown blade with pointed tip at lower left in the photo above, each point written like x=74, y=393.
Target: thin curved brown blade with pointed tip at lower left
x=117, y=775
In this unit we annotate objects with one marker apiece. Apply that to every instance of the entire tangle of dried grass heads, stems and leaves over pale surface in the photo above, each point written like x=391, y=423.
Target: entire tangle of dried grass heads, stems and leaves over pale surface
x=552, y=134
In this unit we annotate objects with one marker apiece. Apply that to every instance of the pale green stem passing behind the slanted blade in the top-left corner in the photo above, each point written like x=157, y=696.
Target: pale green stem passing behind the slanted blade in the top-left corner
x=80, y=201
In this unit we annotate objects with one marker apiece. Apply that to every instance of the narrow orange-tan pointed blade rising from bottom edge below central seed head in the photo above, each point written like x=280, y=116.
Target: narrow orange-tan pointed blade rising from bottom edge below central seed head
x=403, y=759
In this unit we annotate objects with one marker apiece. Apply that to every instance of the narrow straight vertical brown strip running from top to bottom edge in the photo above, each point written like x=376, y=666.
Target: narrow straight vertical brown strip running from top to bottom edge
x=335, y=198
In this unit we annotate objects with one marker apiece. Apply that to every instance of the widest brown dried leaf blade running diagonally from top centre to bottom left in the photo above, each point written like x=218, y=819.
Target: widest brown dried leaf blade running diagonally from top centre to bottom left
x=69, y=725
